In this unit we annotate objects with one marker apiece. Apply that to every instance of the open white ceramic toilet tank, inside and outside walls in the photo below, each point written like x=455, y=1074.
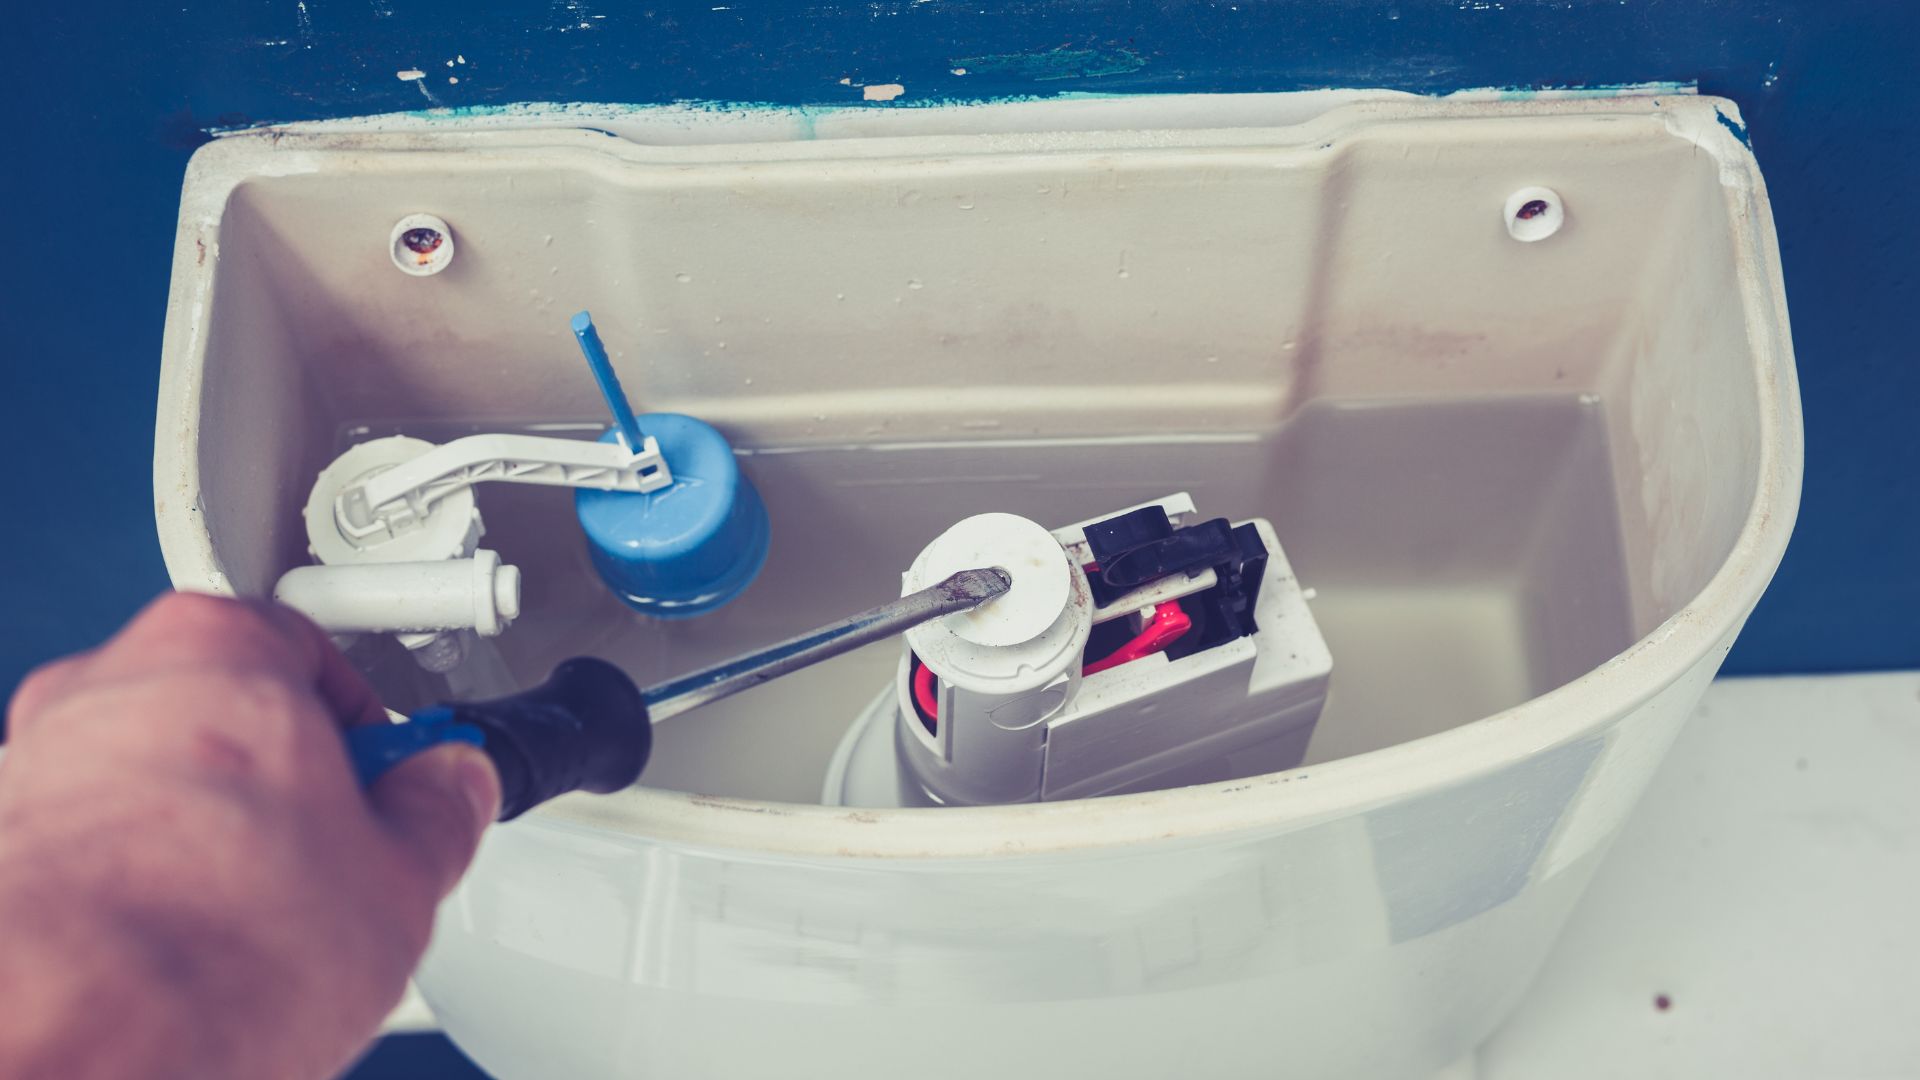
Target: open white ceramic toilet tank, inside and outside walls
x=1539, y=487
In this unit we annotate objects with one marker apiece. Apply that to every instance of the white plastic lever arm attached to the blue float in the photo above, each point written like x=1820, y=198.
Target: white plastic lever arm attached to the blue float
x=395, y=501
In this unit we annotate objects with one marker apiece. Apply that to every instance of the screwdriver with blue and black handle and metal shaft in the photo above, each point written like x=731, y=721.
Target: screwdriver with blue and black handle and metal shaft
x=588, y=727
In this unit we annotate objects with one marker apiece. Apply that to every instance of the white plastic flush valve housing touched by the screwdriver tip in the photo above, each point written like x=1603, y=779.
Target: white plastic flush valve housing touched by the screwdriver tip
x=1237, y=710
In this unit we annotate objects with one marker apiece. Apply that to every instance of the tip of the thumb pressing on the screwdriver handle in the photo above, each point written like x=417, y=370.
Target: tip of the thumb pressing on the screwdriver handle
x=439, y=804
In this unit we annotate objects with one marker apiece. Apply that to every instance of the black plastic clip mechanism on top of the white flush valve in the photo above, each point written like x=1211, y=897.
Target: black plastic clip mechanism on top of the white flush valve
x=1143, y=547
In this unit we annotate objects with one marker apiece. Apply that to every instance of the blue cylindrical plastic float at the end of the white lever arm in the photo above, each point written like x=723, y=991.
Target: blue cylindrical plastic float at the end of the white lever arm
x=684, y=549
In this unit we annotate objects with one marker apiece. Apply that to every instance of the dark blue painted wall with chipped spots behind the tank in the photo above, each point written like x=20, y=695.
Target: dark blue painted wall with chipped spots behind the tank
x=110, y=99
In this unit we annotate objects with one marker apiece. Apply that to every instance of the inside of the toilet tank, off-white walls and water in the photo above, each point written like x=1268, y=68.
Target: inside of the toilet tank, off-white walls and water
x=1497, y=464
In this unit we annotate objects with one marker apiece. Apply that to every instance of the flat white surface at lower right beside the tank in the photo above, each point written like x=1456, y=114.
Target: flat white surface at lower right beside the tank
x=1767, y=887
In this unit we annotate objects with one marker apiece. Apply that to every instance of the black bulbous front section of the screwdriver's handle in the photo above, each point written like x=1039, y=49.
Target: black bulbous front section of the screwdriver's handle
x=585, y=729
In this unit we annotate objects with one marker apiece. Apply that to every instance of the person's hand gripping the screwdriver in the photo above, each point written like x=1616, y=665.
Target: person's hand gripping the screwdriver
x=191, y=879
